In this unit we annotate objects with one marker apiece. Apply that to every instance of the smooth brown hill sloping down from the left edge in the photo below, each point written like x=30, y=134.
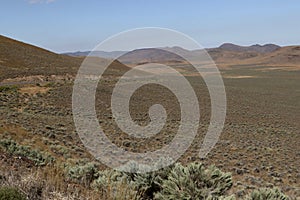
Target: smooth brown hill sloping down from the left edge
x=18, y=59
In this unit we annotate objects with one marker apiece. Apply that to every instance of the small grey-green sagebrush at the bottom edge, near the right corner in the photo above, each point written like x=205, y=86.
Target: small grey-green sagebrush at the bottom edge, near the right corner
x=267, y=194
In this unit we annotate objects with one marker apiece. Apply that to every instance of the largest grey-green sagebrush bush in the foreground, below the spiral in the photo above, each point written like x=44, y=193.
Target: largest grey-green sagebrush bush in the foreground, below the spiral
x=194, y=182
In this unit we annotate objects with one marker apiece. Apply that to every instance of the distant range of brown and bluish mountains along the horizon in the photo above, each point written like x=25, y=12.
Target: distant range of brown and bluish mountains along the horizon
x=225, y=55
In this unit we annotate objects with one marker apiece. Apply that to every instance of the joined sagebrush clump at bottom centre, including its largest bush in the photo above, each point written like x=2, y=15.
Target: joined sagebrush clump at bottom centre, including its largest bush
x=174, y=182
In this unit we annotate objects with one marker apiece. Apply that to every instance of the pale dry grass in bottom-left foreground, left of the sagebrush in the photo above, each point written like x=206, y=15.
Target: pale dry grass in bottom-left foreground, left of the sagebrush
x=49, y=183
